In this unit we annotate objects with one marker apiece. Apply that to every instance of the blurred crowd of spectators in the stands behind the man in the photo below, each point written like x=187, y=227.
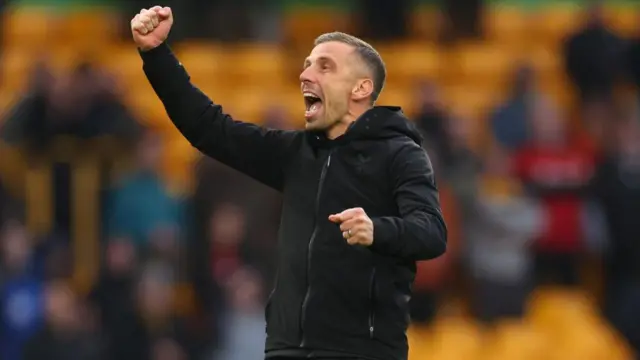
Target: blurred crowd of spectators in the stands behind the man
x=549, y=197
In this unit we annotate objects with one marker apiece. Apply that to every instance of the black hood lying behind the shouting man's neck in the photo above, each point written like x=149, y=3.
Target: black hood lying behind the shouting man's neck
x=378, y=123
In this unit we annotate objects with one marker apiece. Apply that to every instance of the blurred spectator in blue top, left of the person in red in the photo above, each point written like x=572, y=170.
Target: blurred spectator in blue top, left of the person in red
x=510, y=121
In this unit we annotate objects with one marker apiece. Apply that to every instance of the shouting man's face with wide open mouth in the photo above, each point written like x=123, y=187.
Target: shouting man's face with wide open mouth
x=327, y=83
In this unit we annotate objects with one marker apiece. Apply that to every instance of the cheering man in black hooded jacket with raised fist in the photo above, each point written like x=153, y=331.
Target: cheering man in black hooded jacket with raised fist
x=360, y=206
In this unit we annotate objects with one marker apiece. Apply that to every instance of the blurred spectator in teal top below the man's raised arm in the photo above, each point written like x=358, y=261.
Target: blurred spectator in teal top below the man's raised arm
x=140, y=207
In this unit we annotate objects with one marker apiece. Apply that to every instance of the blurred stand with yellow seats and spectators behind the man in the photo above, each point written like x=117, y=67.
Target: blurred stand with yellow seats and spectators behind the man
x=118, y=241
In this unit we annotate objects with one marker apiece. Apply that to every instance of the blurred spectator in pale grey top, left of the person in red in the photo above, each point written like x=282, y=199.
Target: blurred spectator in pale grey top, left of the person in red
x=506, y=223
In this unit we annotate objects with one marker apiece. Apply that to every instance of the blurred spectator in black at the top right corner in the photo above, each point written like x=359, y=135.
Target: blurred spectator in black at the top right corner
x=594, y=56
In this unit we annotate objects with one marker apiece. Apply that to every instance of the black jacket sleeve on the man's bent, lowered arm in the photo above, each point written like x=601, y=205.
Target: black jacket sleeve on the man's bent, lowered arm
x=419, y=233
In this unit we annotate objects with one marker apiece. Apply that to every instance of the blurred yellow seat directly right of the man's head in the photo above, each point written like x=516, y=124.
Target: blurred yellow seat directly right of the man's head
x=412, y=61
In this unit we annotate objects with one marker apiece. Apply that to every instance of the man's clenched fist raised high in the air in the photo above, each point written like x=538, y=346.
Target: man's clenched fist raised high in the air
x=151, y=27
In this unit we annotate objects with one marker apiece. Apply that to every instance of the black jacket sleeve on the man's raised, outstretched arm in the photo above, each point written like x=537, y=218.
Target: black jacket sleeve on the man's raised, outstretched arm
x=253, y=150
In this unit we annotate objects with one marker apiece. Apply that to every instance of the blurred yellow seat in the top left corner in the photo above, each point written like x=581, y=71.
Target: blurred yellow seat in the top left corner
x=29, y=28
